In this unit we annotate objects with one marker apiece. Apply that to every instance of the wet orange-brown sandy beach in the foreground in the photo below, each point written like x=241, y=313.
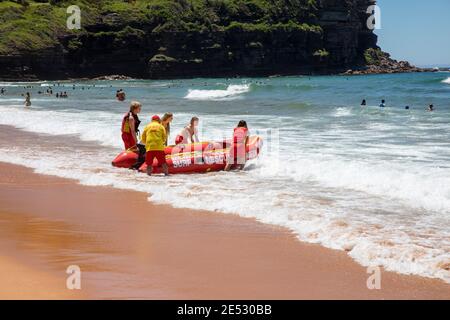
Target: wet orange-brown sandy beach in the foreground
x=129, y=248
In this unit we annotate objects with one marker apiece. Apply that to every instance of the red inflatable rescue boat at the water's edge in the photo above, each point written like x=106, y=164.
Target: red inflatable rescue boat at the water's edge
x=192, y=158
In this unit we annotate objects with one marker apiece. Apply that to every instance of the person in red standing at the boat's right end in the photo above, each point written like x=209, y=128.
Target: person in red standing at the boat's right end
x=238, y=147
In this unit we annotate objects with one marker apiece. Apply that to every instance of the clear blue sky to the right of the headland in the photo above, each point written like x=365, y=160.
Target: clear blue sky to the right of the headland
x=416, y=30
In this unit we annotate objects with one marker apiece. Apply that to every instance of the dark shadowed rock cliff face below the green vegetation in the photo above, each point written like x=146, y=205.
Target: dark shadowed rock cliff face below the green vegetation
x=334, y=40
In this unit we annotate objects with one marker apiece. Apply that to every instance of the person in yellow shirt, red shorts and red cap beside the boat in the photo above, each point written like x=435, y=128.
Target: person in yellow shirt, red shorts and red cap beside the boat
x=154, y=138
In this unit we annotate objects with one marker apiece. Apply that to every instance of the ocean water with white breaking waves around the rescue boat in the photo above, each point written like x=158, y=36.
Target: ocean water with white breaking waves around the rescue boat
x=373, y=182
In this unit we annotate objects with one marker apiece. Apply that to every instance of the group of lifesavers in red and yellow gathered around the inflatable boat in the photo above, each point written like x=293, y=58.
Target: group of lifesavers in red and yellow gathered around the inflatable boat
x=155, y=138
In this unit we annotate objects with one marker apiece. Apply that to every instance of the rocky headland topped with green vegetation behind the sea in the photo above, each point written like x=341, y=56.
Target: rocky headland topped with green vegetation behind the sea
x=183, y=39
